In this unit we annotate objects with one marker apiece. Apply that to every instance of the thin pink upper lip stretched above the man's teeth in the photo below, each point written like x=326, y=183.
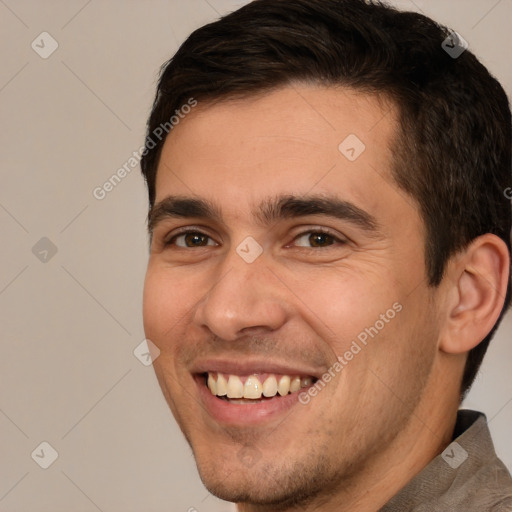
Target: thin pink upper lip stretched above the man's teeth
x=254, y=366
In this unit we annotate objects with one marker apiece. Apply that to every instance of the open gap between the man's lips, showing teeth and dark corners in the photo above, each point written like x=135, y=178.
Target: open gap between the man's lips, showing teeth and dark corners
x=255, y=388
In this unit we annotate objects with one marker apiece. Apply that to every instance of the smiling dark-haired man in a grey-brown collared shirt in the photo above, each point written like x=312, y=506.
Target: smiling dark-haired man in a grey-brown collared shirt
x=330, y=254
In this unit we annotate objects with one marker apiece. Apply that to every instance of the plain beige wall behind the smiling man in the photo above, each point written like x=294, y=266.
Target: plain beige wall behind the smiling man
x=69, y=325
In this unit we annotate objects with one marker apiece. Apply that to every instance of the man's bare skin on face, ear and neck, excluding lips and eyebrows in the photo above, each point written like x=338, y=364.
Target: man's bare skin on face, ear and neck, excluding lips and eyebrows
x=393, y=406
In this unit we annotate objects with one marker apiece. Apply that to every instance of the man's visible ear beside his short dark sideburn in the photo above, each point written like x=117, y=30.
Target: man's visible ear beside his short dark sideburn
x=477, y=280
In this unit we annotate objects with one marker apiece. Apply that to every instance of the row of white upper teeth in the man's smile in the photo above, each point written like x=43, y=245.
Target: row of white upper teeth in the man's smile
x=232, y=386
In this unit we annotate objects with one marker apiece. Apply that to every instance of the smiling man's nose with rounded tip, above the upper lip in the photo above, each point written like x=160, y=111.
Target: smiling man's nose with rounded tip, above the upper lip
x=246, y=299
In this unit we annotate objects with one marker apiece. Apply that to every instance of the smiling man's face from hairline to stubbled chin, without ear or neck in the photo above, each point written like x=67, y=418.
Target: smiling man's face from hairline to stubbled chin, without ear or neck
x=287, y=276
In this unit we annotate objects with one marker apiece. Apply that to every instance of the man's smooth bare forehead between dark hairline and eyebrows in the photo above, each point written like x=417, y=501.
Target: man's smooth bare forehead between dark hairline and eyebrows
x=295, y=140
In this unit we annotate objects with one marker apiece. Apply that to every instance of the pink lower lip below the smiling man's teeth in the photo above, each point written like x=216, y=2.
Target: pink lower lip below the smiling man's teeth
x=245, y=414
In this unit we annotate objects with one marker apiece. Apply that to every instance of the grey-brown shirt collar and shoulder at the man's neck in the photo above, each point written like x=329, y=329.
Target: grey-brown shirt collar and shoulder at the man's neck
x=467, y=477
